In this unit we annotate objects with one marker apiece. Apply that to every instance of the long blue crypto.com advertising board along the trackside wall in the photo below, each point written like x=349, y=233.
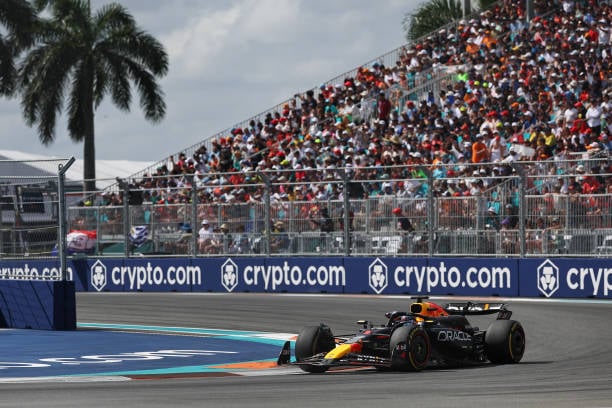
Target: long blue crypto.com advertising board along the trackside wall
x=534, y=277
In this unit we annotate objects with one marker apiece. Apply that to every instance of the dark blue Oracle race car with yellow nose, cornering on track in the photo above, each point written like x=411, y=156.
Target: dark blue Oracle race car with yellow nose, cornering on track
x=428, y=335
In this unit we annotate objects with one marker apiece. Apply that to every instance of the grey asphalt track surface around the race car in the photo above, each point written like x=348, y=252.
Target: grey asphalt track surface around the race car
x=567, y=363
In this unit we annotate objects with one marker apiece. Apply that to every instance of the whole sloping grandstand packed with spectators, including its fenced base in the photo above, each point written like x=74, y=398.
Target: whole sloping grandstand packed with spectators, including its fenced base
x=493, y=134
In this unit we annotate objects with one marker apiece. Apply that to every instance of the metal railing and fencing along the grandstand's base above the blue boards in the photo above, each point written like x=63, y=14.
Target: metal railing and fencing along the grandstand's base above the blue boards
x=522, y=209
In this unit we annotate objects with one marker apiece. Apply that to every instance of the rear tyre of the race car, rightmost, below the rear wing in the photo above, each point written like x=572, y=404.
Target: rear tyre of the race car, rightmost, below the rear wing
x=505, y=342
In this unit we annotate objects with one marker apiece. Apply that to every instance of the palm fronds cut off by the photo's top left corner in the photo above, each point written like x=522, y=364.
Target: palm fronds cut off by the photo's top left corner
x=18, y=19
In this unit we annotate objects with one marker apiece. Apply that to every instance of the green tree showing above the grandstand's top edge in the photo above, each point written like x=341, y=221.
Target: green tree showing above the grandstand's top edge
x=434, y=14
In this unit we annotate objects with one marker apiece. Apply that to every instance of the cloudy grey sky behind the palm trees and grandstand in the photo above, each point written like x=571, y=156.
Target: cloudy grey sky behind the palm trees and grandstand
x=229, y=60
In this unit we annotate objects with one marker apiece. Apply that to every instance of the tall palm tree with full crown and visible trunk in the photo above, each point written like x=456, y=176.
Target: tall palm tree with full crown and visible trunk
x=79, y=58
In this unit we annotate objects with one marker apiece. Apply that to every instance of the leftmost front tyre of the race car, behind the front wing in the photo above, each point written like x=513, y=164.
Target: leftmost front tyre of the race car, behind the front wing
x=313, y=340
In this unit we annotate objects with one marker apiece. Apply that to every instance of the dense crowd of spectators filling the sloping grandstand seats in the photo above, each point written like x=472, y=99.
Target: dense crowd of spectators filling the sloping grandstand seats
x=534, y=91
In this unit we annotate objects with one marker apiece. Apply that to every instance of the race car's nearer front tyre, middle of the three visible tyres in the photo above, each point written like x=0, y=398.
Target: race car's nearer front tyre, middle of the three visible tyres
x=410, y=348
